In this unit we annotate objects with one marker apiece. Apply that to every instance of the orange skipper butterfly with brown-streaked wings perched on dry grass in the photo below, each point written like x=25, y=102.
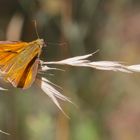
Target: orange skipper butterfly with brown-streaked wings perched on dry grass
x=19, y=62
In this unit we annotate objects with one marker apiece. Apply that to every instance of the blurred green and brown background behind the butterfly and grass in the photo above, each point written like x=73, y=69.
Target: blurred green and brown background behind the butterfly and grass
x=108, y=102
